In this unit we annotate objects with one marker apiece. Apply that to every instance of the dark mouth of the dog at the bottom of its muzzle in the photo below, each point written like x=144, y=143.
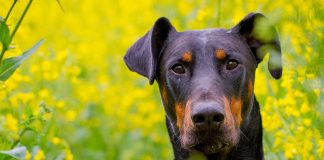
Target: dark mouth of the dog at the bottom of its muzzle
x=211, y=148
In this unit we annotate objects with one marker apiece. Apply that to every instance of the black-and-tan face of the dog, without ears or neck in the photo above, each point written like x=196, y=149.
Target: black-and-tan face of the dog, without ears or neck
x=206, y=83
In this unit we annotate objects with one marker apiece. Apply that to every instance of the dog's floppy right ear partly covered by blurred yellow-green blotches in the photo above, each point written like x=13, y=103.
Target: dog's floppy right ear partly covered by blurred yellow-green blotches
x=262, y=38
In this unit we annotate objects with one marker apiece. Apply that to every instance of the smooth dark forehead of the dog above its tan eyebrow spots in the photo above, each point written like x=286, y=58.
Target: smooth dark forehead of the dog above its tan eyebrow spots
x=201, y=40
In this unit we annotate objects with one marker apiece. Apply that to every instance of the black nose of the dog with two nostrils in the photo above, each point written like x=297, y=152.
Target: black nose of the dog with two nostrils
x=207, y=115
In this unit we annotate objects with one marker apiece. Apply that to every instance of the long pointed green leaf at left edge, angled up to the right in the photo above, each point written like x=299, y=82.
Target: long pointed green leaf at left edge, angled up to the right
x=9, y=65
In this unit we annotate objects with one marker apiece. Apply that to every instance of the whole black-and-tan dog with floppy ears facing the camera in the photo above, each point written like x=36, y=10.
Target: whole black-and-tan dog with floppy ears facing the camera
x=206, y=80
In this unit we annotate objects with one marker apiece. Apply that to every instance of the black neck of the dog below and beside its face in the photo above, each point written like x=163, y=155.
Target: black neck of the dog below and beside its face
x=249, y=146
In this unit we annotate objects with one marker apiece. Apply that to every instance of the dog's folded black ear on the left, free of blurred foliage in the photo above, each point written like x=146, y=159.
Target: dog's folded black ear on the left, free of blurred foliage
x=143, y=56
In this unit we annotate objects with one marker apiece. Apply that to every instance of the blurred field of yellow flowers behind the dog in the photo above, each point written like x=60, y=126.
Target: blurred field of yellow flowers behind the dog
x=75, y=99
